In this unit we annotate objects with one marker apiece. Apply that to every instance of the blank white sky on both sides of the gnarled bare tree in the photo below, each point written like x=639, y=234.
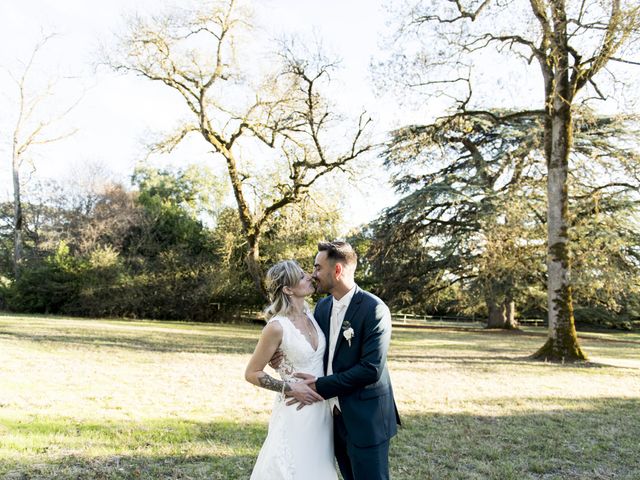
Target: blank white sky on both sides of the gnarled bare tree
x=116, y=113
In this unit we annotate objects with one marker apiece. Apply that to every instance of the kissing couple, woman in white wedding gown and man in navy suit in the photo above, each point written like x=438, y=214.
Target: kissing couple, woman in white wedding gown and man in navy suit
x=335, y=393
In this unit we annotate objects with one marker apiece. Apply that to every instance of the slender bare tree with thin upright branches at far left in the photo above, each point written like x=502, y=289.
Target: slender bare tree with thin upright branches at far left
x=35, y=126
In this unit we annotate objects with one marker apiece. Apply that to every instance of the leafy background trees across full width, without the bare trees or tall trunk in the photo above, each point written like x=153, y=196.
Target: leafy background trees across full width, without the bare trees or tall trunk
x=169, y=247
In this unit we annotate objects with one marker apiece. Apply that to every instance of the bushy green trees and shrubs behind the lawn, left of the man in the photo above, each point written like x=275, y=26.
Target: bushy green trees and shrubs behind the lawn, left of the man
x=164, y=248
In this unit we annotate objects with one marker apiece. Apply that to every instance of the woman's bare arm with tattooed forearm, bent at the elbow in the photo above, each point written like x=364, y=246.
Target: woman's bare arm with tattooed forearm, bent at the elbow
x=254, y=373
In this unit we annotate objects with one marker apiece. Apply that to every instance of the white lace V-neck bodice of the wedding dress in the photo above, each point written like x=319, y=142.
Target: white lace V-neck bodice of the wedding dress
x=299, y=355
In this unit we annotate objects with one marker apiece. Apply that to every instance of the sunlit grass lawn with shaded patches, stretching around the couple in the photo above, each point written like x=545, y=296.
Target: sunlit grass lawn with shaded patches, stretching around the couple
x=92, y=399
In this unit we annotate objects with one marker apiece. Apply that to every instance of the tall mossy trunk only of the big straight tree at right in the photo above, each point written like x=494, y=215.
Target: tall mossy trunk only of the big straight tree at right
x=562, y=343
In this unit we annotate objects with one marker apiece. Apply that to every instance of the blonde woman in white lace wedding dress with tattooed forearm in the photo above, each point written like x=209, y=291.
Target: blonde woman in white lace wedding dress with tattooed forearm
x=299, y=443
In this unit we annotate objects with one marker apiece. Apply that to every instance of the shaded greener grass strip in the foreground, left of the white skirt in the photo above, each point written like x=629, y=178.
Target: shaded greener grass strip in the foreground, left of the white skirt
x=63, y=448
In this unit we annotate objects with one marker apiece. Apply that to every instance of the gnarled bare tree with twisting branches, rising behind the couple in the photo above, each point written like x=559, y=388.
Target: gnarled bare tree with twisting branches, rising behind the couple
x=271, y=134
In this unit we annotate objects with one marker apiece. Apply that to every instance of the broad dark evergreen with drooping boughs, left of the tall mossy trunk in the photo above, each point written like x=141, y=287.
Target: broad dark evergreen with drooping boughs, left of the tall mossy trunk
x=469, y=213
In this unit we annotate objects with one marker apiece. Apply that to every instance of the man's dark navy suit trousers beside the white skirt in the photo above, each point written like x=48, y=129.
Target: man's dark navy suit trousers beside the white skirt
x=356, y=463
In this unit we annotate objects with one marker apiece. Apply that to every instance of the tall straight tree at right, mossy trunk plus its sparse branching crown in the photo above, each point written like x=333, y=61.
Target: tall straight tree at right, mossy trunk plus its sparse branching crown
x=572, y=42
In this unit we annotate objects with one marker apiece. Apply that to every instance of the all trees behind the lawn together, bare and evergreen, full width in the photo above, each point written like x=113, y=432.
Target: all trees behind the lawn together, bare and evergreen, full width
x=504, y=211
